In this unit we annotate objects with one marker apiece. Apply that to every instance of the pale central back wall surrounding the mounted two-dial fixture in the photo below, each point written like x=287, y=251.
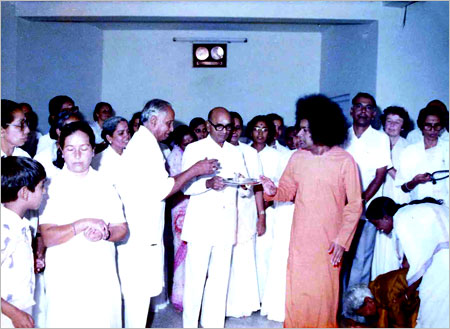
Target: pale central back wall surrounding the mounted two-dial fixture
x=266, y=74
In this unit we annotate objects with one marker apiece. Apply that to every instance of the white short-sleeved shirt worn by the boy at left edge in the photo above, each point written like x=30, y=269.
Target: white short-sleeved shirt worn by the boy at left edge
x=17, y=280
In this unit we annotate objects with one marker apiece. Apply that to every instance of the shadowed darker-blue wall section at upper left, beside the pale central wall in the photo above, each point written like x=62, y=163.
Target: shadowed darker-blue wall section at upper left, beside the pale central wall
x=58, y=59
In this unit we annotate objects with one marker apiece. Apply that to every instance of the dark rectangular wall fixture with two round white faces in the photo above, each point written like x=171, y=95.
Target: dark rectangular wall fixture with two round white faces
x=209, y=54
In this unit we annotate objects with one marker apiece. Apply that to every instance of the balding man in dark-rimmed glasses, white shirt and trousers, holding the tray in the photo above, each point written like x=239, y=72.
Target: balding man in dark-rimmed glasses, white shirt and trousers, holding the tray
x=210, y=224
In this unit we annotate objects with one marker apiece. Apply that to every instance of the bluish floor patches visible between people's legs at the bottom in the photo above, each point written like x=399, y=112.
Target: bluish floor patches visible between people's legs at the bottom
x=169, y=318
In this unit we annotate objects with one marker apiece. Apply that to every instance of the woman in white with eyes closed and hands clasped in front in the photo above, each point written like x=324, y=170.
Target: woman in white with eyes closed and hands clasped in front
x=81, y=221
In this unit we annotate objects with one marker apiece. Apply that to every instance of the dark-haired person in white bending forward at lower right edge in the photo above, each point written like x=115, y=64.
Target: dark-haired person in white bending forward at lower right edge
x=422, y=230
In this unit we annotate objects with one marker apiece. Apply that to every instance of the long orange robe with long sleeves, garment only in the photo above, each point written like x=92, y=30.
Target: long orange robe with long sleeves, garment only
x=328, y=206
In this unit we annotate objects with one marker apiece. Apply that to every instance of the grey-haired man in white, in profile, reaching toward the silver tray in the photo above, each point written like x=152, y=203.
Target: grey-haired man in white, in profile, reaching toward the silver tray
x=143, y=185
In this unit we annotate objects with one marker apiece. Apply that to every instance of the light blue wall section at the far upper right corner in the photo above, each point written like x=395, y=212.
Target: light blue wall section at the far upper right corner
x=413, y=62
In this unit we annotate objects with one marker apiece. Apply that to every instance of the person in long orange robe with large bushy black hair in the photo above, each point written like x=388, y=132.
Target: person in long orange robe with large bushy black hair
x=324, y=181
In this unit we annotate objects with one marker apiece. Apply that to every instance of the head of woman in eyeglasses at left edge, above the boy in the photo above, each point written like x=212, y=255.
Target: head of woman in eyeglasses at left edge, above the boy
x=14, y=131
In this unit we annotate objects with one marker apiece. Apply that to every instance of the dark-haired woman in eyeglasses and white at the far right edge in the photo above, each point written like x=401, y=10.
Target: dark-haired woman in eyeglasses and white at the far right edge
x=421, y=159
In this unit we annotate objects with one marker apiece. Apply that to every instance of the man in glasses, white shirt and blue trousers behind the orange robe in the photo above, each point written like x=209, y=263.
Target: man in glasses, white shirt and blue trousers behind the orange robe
x=371, y=150
